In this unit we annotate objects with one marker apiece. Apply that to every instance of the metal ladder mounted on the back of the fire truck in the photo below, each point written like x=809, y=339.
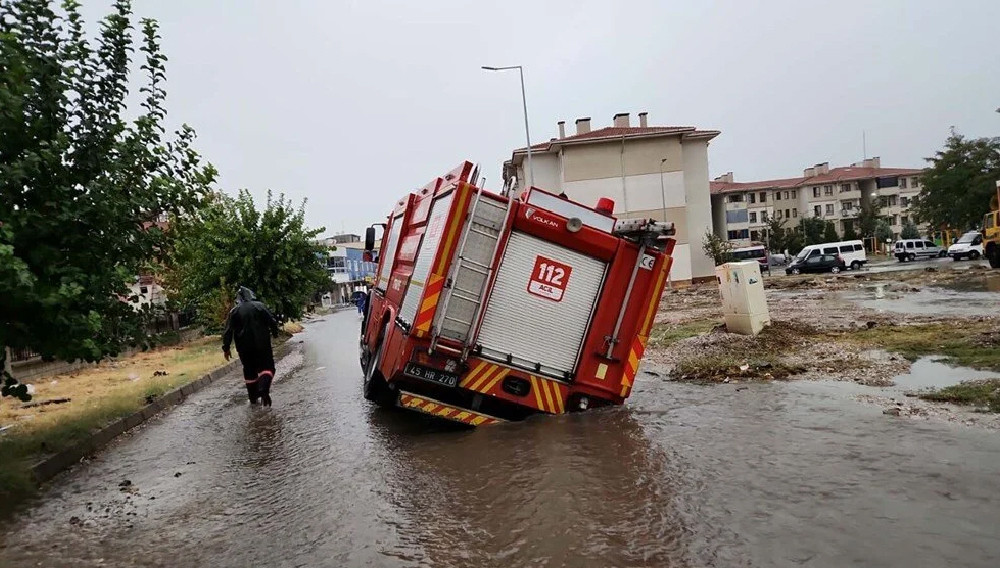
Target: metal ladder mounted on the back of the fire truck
x=468, y=280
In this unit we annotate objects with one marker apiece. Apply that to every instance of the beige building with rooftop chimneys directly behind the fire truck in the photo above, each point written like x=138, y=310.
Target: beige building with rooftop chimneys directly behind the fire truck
x=659, y=172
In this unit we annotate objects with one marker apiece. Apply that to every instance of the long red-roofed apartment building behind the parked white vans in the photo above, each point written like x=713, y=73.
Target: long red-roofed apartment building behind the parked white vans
x=741, y=210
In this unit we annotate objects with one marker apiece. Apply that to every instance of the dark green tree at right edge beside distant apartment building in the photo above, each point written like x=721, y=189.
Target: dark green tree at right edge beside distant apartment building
x=957, y=188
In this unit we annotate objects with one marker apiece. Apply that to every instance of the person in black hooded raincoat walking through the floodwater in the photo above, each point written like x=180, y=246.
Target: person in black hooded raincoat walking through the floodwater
x=249, y=325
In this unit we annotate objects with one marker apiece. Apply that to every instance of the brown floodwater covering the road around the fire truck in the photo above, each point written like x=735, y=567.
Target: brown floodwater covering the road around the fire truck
x=784, y=474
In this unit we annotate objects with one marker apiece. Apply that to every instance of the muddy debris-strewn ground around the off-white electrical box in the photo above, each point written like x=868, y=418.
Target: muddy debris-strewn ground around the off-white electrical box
x=815, y=334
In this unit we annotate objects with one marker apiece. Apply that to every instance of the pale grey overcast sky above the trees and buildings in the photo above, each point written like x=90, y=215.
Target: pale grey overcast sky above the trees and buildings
x=353, y=103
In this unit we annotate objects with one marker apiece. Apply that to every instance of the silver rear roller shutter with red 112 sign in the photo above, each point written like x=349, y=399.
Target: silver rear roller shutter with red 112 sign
x=529, y=316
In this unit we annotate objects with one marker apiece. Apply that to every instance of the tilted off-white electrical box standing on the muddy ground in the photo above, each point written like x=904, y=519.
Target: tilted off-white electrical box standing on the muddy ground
x=744, y=305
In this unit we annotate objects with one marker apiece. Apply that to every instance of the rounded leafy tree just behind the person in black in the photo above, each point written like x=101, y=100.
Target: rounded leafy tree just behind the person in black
x=230, y=243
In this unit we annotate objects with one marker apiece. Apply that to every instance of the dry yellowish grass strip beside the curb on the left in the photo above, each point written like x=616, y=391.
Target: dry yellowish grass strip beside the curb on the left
x=99, y=395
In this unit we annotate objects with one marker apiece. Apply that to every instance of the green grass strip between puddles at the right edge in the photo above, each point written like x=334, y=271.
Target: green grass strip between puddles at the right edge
x=970, y=344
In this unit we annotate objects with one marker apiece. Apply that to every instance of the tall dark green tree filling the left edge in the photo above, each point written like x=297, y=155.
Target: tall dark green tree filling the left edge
x=81, y=186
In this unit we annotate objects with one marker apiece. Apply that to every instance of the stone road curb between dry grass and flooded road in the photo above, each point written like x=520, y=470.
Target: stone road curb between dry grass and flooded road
x=52, y=465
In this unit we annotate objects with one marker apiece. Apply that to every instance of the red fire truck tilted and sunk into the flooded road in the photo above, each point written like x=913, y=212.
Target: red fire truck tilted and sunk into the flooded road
x=488, y=308
